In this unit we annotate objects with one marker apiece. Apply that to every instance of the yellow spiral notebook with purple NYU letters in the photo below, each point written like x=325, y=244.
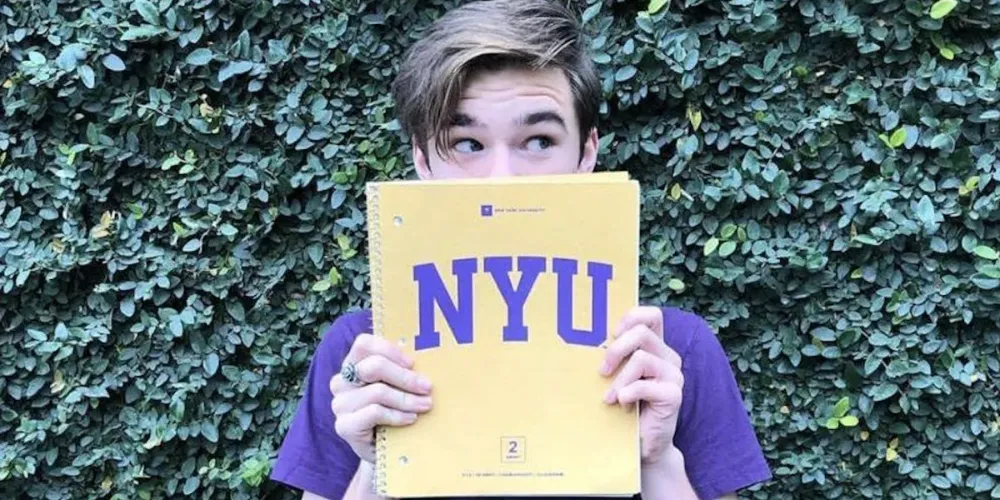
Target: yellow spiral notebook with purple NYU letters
x=504, y=292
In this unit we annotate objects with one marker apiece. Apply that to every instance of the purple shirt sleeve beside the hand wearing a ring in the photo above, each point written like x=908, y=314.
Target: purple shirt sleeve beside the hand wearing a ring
x=313, y=457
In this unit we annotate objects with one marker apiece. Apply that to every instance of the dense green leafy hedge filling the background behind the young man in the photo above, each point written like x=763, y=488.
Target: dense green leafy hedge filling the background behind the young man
x=181, y=212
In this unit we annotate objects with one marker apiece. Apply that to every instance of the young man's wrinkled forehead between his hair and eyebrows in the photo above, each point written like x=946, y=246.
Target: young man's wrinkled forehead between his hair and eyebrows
x=510, y=93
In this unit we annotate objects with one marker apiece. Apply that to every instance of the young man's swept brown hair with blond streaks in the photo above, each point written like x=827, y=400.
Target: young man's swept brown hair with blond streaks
x=490, y=35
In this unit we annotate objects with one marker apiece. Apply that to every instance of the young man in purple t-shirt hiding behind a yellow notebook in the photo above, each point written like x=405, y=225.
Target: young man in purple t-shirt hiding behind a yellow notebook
x=506, y=88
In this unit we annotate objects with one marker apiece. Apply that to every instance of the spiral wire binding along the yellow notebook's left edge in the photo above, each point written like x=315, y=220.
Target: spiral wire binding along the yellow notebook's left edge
x=375, y=276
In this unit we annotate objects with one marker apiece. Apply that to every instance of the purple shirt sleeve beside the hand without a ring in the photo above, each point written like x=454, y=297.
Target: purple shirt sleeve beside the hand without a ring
x=714, y=432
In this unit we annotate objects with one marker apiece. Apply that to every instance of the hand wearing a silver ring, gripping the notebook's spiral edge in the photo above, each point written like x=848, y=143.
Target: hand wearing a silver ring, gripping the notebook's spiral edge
x=388, y=392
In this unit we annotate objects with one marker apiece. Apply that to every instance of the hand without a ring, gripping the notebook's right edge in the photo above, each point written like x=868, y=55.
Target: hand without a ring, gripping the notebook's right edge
x=651, y=375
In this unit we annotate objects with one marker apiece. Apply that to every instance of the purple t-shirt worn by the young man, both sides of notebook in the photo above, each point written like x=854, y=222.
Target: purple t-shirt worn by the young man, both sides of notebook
x=714, y=433
